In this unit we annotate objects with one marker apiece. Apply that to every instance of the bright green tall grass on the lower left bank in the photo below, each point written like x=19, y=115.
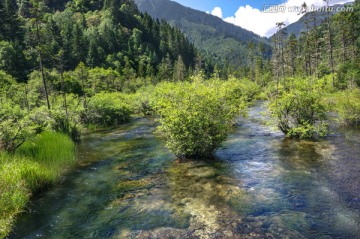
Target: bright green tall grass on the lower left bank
x=37, y=164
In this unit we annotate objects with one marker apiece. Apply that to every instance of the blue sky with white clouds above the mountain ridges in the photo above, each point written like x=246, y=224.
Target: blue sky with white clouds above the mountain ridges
x=248, y=13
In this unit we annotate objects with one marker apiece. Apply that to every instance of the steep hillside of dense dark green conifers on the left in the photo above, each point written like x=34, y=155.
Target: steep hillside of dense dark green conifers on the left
x=109, y=34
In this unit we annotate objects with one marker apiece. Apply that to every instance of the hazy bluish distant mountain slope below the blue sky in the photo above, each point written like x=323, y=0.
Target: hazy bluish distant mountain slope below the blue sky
x=209, y=33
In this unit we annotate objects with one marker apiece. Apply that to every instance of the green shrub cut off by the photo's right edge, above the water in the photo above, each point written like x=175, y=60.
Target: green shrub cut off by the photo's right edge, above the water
x=347, y=105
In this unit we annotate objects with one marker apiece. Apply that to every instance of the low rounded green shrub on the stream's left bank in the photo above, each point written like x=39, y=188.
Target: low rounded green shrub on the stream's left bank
x=107, y=109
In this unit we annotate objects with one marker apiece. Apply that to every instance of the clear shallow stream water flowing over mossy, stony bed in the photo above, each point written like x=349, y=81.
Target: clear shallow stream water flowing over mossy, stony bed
x=260, y=186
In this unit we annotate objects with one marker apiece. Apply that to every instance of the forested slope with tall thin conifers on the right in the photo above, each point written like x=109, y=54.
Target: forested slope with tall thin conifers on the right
x=330, y=47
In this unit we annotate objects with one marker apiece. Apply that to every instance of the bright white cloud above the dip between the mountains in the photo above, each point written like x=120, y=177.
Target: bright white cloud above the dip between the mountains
x=264, y=24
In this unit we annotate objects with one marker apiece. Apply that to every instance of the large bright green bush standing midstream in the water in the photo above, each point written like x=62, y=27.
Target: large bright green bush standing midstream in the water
x=196, y=117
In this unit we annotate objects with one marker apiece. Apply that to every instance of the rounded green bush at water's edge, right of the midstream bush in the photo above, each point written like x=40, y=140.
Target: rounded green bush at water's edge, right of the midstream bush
x=299, y=108
